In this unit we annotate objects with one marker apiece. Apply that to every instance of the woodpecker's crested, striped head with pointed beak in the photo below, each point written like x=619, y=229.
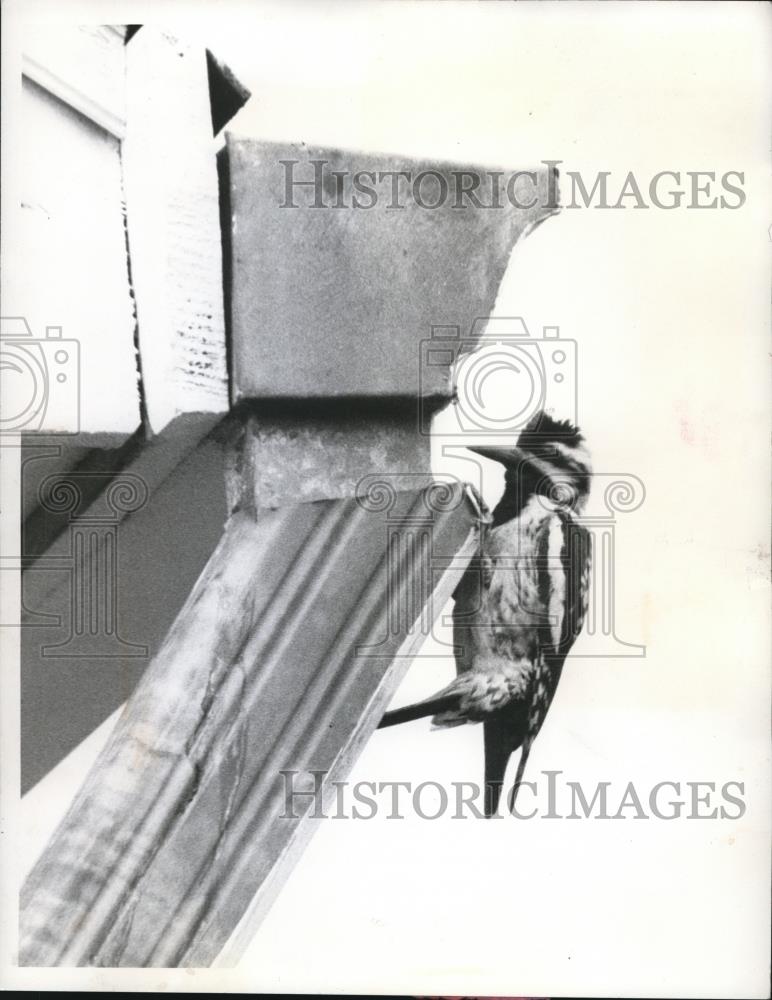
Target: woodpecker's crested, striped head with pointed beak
x=549, y=458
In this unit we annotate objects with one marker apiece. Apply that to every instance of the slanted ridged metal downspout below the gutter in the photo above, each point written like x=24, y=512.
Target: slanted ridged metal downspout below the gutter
x=282, y=658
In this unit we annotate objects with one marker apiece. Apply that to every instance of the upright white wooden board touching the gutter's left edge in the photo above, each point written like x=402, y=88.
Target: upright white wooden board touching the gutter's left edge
x=173, y=214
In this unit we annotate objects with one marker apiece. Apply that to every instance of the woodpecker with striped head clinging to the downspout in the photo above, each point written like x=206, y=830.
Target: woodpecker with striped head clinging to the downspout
x=520, y=606
